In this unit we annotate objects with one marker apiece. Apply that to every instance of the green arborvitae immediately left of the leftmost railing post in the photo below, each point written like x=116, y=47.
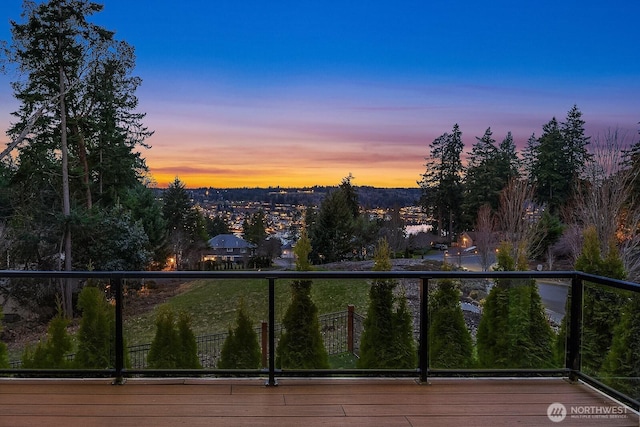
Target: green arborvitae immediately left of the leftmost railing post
x=96, y=335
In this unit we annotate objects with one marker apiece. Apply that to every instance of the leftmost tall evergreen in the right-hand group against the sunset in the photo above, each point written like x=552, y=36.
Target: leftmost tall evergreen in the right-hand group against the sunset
x=441, y=184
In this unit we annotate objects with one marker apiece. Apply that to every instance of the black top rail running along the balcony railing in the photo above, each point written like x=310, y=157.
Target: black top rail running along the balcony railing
x=321, y=274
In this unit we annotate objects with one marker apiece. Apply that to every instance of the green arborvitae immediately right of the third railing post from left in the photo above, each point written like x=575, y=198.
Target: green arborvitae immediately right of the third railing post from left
x=450, y=343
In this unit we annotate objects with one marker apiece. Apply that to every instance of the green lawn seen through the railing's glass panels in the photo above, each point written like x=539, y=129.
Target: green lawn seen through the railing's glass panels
x=213, y=303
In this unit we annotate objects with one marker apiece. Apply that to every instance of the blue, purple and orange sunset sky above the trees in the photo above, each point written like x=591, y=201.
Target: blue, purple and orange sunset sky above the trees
x=299, y=93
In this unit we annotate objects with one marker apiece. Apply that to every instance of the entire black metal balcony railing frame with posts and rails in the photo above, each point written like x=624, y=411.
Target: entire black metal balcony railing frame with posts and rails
x=571, y=369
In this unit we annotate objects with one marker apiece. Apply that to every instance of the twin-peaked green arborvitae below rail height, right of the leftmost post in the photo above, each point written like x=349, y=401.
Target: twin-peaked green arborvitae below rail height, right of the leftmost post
x=174, y=345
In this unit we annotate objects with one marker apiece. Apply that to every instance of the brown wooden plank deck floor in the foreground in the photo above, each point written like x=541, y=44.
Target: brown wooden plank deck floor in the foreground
x=301, y=402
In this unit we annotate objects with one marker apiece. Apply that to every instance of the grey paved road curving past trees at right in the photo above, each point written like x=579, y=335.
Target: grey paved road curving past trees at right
x=552, y=292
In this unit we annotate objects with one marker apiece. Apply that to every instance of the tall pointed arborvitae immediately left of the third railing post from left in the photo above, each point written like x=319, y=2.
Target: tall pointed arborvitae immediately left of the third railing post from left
x=387, y=341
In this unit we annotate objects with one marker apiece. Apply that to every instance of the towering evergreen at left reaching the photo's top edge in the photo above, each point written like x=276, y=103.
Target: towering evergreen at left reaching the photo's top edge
x=75, y=125
